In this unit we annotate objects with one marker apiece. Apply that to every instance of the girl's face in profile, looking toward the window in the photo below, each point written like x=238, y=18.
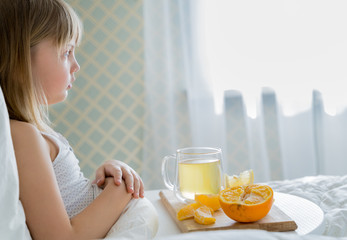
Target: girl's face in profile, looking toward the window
x=54, y=70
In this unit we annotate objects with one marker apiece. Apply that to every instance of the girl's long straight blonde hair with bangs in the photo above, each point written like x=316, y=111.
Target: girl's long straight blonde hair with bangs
x=24, y=24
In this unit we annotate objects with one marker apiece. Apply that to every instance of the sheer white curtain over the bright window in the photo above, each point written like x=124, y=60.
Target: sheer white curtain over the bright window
x=263, y=80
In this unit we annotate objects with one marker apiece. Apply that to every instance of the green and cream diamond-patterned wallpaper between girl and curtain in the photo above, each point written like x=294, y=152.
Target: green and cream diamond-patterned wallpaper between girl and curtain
x=104, y=114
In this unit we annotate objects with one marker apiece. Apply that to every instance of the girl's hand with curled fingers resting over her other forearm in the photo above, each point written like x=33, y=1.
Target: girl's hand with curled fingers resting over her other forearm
x=118, y=171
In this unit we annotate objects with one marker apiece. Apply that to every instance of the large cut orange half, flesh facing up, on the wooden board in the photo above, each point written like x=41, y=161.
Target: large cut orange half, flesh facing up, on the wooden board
x=247, y=203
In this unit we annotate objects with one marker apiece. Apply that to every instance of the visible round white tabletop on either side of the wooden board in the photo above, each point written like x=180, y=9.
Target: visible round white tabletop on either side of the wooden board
x=307, y=215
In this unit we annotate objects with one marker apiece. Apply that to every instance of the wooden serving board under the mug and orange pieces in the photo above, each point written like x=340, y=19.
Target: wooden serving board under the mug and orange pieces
x=275, y=221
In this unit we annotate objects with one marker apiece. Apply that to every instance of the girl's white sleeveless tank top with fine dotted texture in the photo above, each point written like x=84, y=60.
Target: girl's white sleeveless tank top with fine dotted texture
x=76, y=190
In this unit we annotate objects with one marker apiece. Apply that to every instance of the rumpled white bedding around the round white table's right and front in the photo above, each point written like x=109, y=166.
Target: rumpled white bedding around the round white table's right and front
x=328, y=192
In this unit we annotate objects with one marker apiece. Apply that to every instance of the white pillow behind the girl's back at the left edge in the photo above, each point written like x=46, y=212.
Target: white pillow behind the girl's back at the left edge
x=12, y=217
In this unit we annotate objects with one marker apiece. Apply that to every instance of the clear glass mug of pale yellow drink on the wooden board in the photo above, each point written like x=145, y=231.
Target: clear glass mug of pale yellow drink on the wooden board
x=198, y=170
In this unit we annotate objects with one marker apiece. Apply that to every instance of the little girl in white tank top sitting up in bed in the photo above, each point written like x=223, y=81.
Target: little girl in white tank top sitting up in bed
x=37, y=68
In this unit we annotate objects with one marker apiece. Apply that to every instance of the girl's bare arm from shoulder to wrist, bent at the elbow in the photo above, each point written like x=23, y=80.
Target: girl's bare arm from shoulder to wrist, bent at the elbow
x=44, y=208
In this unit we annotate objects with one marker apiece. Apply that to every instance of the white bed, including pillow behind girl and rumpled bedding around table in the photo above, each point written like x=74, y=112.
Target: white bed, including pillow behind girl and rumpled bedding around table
x=328, y=192
